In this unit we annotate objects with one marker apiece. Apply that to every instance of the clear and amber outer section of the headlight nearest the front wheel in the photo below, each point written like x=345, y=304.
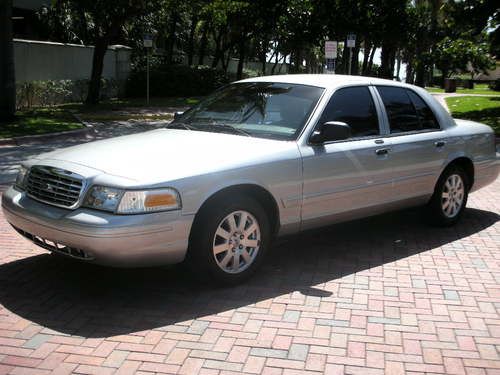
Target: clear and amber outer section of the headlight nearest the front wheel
x=134, y=202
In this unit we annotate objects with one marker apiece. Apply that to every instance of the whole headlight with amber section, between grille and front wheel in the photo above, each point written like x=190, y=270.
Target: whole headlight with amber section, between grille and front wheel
x=132, y=202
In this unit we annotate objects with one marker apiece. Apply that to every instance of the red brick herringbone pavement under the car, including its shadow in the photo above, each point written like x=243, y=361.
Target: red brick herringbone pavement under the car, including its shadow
x=383, y=295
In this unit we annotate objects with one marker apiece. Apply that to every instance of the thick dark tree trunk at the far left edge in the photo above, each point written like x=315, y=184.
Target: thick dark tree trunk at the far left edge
x=7, y=71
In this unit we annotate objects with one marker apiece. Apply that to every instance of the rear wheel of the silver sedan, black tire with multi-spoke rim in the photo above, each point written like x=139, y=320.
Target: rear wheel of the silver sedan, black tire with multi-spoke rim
x=450, y=197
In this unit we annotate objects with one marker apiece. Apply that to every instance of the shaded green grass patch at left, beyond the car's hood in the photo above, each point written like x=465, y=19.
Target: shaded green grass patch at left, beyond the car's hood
x=38, y=121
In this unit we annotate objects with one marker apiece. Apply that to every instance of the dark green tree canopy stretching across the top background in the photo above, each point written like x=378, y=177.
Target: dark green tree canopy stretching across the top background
x=454, y=35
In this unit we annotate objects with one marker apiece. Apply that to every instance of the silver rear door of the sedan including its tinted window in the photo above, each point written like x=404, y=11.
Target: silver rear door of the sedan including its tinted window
x=417, y=143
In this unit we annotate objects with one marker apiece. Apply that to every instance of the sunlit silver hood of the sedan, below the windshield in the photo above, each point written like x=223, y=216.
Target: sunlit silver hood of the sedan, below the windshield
x=169, y=154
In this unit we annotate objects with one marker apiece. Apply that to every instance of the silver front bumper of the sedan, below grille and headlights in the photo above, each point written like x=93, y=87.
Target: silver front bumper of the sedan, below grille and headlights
x=99, y=237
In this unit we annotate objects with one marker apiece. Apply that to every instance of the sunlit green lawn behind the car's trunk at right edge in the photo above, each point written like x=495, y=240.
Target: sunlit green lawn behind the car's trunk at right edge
x=481, y=109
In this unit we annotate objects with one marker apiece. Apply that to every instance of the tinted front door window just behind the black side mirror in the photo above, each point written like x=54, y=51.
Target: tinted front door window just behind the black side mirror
x=355, y=107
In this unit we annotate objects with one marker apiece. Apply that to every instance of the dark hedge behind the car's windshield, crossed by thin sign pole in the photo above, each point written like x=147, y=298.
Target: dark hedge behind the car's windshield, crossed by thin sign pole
x=176, y=80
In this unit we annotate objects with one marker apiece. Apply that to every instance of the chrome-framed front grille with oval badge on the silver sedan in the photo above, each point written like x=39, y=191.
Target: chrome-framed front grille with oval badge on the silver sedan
x=54, y=186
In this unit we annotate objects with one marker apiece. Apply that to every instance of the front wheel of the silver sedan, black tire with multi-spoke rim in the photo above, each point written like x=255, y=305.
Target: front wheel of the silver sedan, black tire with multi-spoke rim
x=229, y=240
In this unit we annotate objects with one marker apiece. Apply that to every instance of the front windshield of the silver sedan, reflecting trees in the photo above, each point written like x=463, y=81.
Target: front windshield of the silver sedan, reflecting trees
x=258, y=109
